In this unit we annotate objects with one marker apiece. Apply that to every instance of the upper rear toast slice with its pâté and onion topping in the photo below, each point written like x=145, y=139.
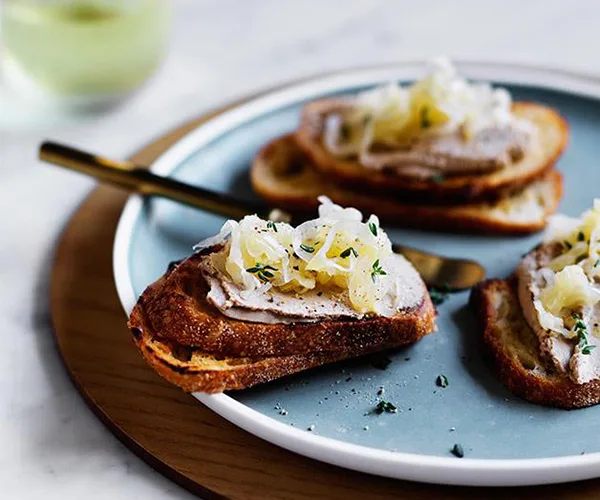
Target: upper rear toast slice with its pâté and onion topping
x=440, y=140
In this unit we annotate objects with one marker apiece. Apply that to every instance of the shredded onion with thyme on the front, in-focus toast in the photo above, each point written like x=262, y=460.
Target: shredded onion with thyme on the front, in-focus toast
x=337, y=250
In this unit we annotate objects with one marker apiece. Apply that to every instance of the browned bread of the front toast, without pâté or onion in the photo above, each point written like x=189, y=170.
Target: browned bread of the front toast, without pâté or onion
x=191, y=344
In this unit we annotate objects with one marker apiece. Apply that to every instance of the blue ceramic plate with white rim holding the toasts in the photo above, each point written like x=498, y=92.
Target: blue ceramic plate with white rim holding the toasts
x=506, y=440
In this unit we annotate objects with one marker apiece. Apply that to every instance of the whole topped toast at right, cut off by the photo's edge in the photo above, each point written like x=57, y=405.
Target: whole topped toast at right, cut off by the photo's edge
x=542, y=325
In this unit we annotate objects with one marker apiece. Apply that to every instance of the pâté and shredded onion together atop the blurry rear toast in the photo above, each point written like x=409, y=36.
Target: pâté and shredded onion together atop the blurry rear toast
x=440, y=125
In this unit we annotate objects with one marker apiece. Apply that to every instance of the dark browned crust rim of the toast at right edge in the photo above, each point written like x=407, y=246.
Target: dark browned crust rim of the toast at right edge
x=553, y=390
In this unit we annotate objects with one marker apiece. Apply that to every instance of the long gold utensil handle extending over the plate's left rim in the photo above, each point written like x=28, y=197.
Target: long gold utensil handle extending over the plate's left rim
x=127, y=175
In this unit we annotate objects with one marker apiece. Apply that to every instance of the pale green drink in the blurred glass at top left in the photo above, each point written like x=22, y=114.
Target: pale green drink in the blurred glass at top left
x=85, y=47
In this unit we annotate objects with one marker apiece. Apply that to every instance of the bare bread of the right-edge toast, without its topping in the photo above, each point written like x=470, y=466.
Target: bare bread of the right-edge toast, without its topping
x=515, y=350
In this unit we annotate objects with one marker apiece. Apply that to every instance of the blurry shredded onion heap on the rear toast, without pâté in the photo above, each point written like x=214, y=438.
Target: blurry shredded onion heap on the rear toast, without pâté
x=442, y=102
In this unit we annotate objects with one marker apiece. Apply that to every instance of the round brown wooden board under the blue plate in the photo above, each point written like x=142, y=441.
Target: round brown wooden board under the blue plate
x=171, y=430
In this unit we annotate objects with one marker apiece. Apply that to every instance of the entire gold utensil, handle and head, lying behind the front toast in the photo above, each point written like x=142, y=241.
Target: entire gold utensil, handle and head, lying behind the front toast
x=438, y=271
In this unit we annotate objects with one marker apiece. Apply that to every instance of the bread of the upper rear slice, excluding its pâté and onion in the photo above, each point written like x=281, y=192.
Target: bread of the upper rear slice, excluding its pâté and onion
x=553, y=134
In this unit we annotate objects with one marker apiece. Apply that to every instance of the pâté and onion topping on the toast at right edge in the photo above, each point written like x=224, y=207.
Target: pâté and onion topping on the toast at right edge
x=559, y=292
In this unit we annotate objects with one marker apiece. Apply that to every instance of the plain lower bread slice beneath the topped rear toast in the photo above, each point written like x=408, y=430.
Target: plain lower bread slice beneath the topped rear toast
x=285, y=177
